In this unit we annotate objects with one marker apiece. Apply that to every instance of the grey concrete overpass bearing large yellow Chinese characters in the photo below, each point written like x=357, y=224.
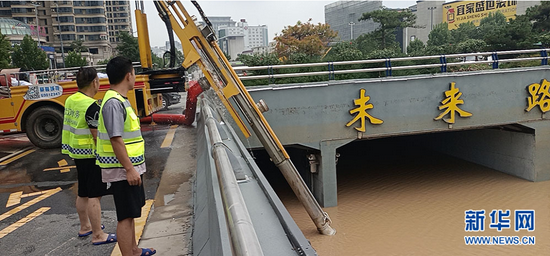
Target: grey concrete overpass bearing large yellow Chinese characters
x=315, y=115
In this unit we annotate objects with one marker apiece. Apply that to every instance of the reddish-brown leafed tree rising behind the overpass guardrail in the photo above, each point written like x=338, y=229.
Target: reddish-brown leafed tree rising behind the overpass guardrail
x=389, y=20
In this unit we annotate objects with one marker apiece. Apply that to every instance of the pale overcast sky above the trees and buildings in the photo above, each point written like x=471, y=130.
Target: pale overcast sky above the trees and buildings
x=275, y=14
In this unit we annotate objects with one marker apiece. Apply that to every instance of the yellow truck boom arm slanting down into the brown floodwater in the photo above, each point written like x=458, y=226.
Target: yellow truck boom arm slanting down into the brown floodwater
x=200, y=49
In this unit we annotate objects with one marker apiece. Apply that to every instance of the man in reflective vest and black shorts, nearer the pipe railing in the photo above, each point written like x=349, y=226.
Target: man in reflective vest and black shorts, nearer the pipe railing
x=121, y=153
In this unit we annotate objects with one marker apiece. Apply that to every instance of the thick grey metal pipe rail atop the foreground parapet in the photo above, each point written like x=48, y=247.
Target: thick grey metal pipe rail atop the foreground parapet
x=243, y=235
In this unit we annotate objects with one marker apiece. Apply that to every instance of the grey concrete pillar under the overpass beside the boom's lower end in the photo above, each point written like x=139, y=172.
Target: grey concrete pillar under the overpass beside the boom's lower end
x=324, y=186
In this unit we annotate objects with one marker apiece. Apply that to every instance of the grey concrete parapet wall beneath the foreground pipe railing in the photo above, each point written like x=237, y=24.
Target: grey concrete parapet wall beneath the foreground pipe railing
x=276, y=231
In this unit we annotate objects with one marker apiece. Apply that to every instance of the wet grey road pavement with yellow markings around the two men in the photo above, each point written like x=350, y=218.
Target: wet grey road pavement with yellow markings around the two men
x=38, y=191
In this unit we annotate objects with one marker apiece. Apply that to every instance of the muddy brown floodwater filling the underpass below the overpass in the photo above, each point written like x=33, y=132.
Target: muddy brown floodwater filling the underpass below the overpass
x=404, y=201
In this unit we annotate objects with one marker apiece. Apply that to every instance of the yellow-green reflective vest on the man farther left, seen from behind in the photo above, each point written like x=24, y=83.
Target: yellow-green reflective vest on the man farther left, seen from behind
x=77, y=140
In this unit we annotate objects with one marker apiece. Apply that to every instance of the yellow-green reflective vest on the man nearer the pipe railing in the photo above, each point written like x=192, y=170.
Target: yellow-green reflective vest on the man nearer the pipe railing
x=135, y=146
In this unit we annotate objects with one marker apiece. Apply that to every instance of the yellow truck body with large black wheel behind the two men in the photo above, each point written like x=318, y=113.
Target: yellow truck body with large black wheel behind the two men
x=37, y=109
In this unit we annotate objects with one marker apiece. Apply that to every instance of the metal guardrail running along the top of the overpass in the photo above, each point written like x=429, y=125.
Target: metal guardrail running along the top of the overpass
x=443, y=64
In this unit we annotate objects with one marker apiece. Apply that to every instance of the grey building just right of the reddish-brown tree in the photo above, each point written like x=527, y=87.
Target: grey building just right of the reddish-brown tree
x=343, y=17
